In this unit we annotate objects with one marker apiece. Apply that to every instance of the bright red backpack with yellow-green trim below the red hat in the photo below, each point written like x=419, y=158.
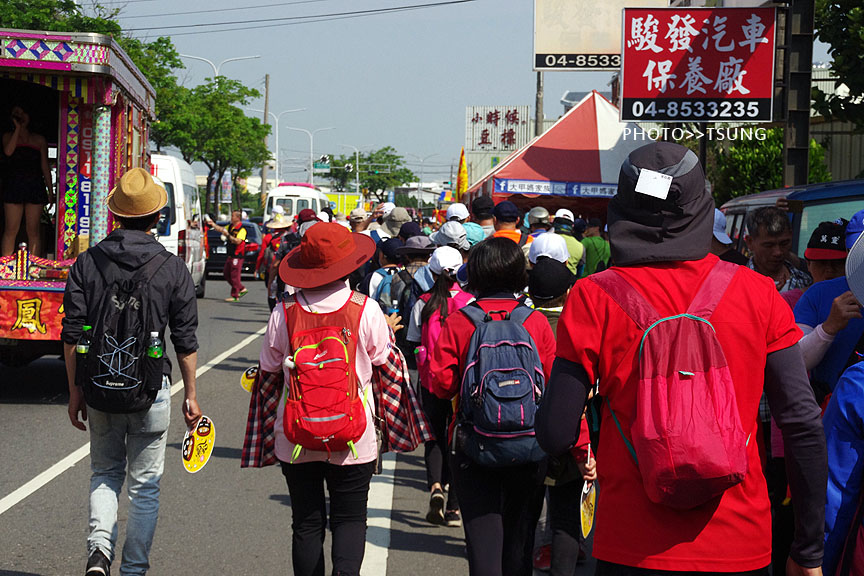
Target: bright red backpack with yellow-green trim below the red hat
x=324, y=410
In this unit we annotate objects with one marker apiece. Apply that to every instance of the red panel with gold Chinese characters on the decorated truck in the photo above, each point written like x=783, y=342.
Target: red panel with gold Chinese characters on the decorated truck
x=31, y=315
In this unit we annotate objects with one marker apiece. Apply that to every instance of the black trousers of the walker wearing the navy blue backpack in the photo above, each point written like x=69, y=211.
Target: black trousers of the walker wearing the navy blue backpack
x=500, y=509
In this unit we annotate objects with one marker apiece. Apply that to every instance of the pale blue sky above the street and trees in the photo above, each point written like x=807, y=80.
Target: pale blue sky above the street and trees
x=401, y=79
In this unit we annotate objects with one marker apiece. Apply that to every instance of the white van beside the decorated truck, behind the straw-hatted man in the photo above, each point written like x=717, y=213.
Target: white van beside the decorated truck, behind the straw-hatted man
x=180, y=230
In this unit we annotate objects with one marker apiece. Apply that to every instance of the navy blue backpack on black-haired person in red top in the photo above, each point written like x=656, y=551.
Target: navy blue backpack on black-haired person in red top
x=501, y=390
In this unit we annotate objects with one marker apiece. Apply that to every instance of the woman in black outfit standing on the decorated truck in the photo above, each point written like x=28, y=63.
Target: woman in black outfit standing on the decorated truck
x=26, y=183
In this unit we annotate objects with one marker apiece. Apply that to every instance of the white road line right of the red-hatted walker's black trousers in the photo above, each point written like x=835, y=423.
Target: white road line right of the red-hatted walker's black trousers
x=378, y=534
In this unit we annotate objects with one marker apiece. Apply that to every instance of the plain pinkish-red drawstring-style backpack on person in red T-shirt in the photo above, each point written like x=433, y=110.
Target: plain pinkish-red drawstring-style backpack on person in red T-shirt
x=686, y=436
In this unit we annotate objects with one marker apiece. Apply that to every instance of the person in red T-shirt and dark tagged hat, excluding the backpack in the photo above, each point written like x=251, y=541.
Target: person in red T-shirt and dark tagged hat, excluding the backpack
x=660, y=231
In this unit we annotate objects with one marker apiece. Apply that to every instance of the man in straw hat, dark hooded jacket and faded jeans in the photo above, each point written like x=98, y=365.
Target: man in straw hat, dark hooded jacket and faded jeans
x=129, y=444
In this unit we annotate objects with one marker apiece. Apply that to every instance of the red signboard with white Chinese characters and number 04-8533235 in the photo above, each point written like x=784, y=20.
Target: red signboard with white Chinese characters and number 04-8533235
x=698, y=64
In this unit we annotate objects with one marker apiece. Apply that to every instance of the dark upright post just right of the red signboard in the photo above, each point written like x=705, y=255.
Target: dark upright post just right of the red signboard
x=799, y=66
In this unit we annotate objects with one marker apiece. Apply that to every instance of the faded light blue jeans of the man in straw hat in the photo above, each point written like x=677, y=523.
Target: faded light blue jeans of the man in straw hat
x=140, y=438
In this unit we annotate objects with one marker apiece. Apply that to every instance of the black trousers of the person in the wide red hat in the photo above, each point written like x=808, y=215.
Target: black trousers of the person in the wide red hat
x=349, y=491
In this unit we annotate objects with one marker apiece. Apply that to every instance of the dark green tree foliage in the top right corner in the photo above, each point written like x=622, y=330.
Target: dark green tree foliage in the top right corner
x=840, y=24
